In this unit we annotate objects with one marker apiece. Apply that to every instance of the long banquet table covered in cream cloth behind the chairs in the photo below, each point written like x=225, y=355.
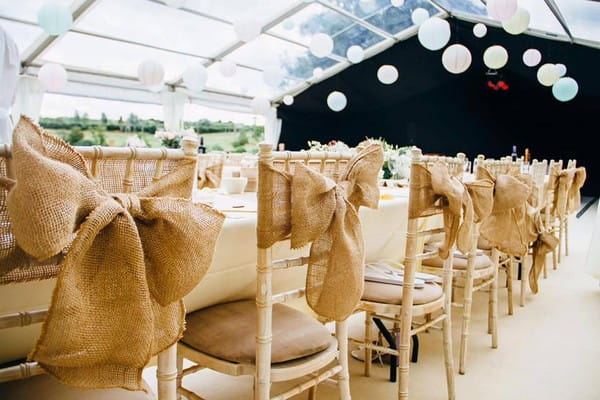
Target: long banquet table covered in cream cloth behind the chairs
x=232, y=273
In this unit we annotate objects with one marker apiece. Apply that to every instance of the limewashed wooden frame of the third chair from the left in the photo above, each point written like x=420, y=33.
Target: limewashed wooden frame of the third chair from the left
x=403, y=317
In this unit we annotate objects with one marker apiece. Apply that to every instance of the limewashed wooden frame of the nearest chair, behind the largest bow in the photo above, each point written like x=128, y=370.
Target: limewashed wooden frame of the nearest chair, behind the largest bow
x=117, y=169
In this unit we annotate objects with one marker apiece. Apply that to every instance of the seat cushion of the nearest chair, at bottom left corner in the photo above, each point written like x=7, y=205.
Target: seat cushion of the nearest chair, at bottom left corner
x=47, y=388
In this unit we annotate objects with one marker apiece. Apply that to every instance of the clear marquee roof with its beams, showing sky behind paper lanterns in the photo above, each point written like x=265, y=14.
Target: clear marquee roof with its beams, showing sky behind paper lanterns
x=109, y=38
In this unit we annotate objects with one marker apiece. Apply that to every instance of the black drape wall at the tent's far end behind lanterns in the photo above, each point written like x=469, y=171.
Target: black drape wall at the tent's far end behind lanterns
x=445, y=113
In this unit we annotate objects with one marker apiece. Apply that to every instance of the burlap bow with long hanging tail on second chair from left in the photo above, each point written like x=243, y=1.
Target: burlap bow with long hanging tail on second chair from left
x=315, y=209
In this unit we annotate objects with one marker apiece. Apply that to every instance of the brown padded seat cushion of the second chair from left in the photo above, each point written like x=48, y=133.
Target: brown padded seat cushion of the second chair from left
x=227, y=331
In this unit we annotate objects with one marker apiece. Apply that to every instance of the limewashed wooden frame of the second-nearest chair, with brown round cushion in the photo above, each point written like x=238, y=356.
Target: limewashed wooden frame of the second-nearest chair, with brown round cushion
x=319, y=367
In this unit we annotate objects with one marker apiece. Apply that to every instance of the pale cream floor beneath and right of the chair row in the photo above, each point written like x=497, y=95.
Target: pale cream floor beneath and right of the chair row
x=550, y=349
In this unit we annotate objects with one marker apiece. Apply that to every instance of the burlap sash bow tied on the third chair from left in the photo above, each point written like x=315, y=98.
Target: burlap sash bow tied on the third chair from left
x=431, y=186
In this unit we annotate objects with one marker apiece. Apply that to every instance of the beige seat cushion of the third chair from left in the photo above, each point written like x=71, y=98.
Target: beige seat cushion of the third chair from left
x=392, y=294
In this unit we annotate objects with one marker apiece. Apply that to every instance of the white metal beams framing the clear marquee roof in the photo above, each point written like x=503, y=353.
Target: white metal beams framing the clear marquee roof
x=86, y=82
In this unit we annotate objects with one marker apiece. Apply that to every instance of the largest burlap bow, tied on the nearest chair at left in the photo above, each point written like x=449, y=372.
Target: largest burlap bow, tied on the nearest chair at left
x=118, y=296
